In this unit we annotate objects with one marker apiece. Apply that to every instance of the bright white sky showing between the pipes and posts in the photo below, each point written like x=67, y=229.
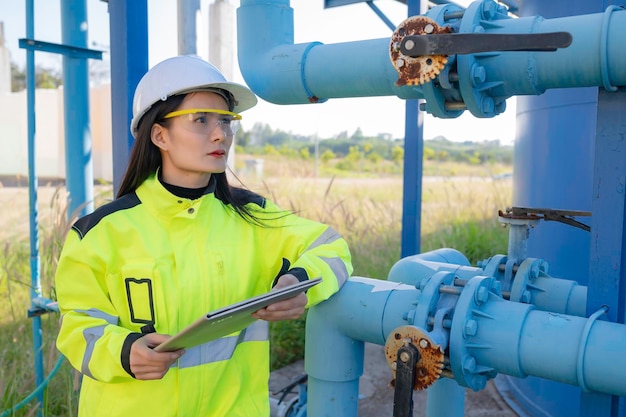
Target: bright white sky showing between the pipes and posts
x=373, y=115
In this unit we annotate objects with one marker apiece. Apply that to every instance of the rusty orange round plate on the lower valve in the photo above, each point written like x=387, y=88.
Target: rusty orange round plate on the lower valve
x=430, y=363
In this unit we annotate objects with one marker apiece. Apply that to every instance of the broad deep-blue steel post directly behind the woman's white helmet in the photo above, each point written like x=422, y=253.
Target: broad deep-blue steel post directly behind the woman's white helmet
x=128, y=20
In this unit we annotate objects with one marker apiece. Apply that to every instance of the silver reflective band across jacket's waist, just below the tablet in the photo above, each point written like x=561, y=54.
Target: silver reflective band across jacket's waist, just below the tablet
x=223, y=349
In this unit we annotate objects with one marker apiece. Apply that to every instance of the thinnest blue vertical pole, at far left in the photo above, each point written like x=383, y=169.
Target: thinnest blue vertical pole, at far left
x=35, y=289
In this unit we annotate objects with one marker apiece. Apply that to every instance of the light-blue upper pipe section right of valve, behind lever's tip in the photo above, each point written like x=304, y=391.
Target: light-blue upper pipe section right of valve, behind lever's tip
x=597, y=44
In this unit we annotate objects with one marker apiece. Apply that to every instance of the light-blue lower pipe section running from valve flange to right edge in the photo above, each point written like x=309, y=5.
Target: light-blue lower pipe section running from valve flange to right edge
x=517, y=340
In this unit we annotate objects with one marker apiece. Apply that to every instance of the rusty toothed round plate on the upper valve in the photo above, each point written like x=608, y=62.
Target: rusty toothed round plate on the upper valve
x=421, y=69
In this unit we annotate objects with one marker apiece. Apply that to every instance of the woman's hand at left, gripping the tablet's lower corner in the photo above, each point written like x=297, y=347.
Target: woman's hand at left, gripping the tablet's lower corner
x=147, y=364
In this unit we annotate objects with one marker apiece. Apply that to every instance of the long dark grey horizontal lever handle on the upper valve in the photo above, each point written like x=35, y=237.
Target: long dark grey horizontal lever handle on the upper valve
x=471, y=43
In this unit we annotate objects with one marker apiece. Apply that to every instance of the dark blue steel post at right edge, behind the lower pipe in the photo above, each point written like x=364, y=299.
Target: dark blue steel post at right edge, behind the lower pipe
x=607, y=277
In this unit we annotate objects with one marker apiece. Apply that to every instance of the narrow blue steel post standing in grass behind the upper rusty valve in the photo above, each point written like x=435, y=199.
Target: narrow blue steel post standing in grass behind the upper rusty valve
x=413, y=154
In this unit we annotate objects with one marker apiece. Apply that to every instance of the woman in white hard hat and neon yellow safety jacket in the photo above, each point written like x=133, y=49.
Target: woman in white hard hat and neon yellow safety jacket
x=178, y=242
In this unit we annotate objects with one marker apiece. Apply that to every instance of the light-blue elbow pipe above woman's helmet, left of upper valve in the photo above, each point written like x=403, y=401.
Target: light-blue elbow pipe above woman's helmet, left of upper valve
x=282, y=72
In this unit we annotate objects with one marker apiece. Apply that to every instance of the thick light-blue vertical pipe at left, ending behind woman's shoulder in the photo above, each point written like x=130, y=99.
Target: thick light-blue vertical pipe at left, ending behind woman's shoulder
x=78, y=158
